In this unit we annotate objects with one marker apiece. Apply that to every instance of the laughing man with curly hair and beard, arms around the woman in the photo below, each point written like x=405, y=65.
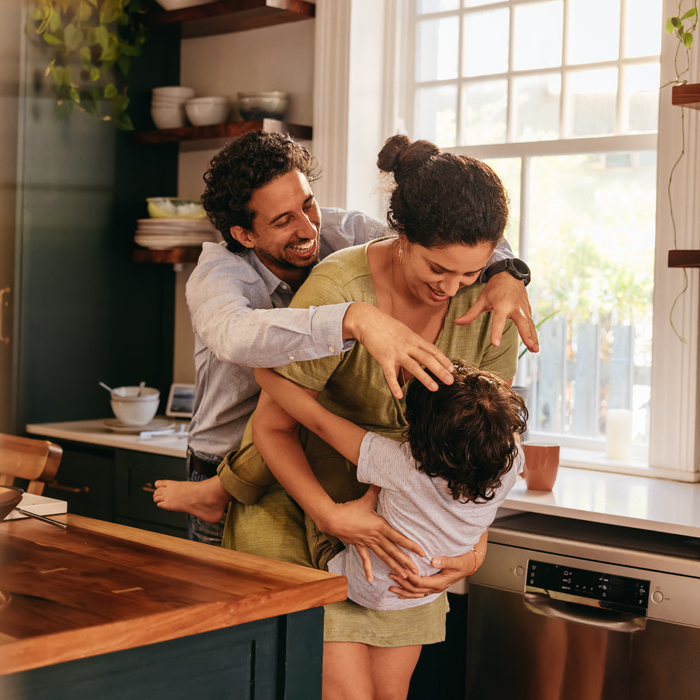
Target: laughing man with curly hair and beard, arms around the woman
x=259, y=197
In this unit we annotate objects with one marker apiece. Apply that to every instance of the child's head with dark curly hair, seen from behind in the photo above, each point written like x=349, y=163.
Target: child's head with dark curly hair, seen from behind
x=465, y=432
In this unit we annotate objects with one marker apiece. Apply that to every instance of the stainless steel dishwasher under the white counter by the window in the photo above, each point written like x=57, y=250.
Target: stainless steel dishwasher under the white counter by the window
x=569, y=610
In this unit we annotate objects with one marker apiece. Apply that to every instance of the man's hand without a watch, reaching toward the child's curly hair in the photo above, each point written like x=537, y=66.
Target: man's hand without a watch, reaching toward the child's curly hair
x=393, y=345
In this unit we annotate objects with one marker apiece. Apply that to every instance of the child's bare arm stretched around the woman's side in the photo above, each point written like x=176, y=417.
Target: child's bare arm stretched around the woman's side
x=341, y=434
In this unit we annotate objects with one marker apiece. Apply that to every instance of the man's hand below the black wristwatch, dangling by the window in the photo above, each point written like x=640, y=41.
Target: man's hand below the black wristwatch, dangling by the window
x=507, y=298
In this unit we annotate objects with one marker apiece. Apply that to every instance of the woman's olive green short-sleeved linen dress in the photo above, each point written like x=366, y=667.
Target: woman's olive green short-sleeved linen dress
x=265, y=520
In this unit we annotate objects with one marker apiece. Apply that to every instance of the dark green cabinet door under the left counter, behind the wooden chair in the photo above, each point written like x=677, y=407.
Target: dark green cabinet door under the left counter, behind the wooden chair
x=85, y=479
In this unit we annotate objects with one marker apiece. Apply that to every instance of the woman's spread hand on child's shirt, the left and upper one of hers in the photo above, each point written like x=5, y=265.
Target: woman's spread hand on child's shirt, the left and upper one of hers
x=356, y=523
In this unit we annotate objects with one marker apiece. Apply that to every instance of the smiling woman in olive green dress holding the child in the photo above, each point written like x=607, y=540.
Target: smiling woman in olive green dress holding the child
x=449, y=213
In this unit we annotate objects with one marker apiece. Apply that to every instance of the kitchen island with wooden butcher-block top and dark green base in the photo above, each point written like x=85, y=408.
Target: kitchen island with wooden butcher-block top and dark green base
x=112, y=593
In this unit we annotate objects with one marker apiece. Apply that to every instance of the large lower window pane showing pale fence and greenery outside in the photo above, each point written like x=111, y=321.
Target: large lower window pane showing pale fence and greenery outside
x=592, y=255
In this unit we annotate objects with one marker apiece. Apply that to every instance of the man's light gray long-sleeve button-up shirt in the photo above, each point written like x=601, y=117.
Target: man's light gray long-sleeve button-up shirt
x=240, y=321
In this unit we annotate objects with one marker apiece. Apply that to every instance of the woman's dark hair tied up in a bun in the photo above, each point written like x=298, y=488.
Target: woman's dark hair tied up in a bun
x=442, y=198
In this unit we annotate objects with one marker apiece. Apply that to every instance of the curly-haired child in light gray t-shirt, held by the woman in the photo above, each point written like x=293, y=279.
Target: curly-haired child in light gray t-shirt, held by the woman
x=441, y=488
